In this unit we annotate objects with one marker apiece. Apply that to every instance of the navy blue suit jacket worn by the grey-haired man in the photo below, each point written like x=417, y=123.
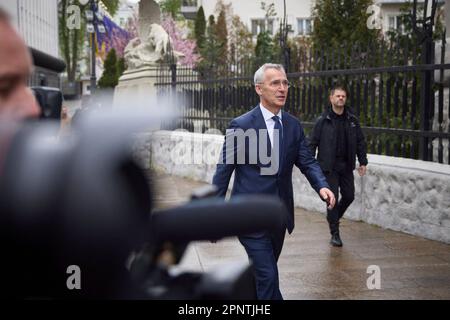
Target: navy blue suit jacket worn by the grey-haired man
x=248, y=178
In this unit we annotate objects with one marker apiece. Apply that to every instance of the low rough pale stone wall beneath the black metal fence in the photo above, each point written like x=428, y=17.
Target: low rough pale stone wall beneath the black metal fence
x=405, y=195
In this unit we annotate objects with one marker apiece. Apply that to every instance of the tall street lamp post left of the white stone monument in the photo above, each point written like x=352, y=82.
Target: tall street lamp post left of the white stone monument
x=94, y=21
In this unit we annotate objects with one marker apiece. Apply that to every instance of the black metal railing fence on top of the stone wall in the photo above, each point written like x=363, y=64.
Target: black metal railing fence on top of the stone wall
x=400, y=98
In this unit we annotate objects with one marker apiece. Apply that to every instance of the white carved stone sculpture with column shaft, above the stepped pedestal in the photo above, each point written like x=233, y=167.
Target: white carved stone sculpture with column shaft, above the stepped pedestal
x=152, y=44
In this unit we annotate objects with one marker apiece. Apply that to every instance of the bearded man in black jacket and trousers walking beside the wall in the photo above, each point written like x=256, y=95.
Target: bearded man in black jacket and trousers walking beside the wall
x=339, y=138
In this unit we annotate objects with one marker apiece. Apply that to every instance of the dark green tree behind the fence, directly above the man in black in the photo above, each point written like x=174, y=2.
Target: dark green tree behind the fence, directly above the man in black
x=341, y=25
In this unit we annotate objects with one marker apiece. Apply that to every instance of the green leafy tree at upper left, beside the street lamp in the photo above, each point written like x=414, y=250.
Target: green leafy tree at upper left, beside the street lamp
x=72, y=39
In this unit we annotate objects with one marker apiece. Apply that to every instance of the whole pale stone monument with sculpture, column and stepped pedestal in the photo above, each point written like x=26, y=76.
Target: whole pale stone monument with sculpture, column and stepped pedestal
x=143, y=55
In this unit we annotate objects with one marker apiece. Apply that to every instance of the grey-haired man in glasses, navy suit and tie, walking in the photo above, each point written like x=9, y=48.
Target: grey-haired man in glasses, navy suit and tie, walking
x=269, y=143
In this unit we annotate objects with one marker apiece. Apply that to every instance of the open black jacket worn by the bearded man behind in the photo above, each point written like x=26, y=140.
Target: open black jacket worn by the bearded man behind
x=323, y=136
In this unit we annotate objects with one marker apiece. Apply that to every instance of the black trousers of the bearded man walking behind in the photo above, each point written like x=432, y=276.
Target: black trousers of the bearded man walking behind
x=340, y=179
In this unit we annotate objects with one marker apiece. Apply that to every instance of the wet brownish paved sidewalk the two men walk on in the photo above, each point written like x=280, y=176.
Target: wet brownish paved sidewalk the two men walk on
x=310, y=268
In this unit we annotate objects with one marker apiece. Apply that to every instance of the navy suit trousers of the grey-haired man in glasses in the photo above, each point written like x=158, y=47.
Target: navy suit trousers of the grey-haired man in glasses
x=263, y=250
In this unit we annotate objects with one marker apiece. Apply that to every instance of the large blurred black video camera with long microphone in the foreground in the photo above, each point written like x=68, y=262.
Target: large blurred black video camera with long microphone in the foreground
x=85, y=204
